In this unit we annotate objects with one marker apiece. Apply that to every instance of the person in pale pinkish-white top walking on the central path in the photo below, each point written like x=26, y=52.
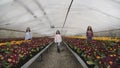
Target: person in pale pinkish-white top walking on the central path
x=58, y=40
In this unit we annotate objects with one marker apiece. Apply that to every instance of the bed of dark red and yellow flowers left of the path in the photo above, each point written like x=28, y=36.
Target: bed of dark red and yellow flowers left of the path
x=16, y=53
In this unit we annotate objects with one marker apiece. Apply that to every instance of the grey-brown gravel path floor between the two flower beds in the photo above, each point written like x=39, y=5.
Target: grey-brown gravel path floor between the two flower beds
x=53, y=59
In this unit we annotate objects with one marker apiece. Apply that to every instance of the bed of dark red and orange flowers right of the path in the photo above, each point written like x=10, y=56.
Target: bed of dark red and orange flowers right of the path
x=97, y=54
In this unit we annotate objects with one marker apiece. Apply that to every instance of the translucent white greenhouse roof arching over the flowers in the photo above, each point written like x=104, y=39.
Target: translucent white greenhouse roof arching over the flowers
x=46, y=16
